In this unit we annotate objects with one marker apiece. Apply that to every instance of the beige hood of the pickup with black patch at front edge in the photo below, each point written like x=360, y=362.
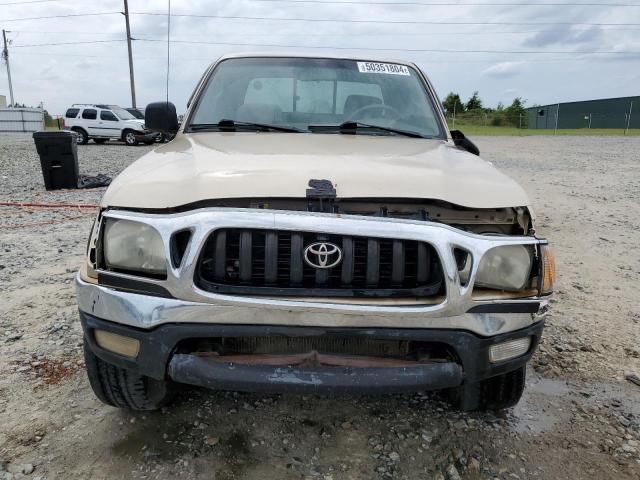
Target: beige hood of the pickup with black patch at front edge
x=203, y=166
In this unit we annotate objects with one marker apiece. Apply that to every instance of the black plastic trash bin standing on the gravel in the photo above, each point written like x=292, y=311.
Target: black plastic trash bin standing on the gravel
x=59, y=158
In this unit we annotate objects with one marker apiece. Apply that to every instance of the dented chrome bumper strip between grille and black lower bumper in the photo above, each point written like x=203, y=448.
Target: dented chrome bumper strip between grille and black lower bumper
x=149, y=311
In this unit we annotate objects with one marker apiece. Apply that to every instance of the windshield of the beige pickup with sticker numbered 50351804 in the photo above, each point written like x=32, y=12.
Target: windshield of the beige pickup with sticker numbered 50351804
x=299, y=92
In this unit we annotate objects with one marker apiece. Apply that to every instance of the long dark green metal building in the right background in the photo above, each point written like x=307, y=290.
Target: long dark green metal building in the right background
x=621, y=113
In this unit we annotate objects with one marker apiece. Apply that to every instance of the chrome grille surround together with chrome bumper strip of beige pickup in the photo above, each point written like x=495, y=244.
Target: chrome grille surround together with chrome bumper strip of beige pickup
x=191, y=304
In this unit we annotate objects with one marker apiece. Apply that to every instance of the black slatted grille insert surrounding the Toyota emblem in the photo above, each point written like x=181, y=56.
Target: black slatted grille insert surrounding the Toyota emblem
x=270, y=262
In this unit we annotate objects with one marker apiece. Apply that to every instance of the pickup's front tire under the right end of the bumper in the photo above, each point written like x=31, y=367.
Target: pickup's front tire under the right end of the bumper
x=494, y=393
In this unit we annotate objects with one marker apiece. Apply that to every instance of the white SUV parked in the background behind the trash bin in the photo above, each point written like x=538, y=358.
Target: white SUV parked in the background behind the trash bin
x=104, y=122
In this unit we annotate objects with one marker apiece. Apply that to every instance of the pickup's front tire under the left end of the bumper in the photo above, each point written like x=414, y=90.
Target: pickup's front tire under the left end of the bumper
x=124, y=388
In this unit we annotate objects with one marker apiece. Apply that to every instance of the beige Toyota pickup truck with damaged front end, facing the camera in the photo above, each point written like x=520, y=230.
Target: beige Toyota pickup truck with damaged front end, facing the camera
x=313, y=227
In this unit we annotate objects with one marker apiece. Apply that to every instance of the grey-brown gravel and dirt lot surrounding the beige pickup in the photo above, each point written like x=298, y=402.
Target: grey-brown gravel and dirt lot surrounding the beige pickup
x=579, y=418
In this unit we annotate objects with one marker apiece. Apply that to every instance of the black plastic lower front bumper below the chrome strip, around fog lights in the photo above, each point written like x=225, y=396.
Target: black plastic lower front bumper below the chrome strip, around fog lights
x=157, y=358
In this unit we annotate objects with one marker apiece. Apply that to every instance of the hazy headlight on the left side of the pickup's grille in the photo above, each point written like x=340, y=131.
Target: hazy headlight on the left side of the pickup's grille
x=133, y=246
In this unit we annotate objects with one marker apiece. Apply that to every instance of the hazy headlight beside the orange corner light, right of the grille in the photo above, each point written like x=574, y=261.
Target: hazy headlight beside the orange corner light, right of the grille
x=505, y=268
